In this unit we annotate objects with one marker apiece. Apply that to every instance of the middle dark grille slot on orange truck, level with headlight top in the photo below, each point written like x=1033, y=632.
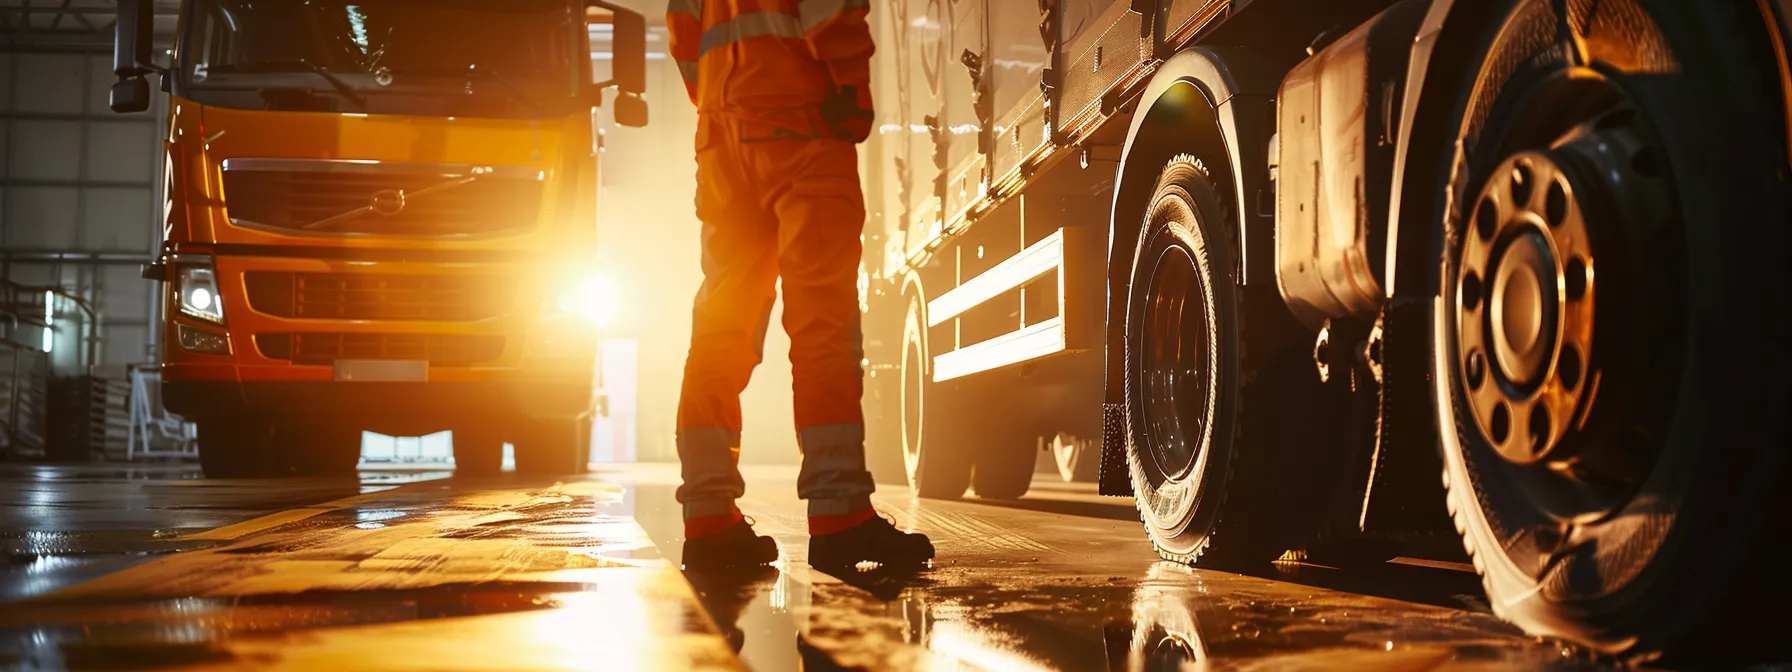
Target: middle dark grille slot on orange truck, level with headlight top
x=377, y=297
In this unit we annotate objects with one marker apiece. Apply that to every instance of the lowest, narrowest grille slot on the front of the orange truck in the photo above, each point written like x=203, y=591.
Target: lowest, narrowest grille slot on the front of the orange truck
x=435, y=349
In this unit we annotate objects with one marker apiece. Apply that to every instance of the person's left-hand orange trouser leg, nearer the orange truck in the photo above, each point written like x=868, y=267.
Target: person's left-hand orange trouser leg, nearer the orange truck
x=728, y=334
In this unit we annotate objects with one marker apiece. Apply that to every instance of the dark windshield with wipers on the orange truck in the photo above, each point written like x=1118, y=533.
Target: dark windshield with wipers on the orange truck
x=438, y=58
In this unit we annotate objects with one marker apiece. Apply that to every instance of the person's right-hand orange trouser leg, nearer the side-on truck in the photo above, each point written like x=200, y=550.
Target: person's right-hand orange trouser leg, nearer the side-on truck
x=820, y=221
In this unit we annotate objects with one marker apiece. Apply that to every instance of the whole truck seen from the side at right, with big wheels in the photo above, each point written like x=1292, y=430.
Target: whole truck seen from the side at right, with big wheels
x=1304, y=275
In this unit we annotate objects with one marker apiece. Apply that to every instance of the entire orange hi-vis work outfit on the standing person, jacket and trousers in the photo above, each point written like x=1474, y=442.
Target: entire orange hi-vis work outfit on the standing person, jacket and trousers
x=782, y=92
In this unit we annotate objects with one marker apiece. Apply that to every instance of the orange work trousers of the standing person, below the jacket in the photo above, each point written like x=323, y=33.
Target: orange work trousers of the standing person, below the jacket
x=775, y=211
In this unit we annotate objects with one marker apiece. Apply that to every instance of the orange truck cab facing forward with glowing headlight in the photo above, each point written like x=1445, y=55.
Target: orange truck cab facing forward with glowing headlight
x=381, y=216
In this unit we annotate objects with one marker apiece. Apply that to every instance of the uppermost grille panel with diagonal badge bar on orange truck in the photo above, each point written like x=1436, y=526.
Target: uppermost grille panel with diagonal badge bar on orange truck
x=381, y=200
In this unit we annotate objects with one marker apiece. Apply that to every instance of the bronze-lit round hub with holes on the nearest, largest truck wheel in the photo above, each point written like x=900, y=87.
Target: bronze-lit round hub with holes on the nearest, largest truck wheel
x=1526, y=306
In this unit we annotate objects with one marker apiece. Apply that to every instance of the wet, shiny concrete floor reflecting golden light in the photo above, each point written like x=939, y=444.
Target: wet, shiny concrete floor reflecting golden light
x=155, y=567
